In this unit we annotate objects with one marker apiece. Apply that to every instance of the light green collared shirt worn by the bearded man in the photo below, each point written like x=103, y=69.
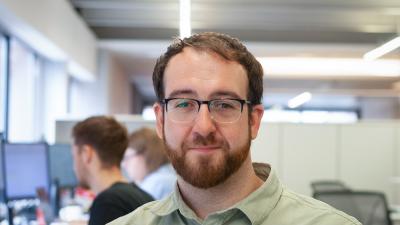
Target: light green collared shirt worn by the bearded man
x=270, y=204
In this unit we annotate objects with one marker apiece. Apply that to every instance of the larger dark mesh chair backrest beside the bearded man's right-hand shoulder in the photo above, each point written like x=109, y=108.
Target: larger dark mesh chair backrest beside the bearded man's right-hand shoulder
x=370, y=208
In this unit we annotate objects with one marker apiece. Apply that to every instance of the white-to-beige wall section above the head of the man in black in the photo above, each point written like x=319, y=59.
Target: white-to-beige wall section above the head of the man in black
x=110, y=93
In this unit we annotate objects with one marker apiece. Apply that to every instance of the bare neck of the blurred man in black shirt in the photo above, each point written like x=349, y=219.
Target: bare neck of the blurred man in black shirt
x=105, y=178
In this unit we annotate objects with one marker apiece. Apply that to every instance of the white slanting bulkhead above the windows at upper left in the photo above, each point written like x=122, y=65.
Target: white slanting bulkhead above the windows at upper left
x=54, y=30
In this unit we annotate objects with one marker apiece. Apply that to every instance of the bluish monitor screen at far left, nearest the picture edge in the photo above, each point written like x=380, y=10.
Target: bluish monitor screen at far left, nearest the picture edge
x=26, y=169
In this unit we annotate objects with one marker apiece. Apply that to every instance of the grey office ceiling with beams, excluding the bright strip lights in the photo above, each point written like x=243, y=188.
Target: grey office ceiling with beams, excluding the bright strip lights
x=136, y=32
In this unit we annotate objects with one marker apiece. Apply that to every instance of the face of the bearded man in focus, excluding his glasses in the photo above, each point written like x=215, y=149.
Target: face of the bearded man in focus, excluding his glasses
x=203, y=152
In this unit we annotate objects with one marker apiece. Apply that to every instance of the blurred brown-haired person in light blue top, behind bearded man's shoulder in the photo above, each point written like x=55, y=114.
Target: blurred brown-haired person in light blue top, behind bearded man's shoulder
x=146, y=163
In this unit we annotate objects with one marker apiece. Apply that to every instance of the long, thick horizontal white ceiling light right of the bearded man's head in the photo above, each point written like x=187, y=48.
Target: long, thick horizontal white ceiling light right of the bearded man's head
x=309, y=66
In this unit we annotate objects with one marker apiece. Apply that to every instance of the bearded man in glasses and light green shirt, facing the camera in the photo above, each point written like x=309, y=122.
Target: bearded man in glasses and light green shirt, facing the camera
x=209, y=89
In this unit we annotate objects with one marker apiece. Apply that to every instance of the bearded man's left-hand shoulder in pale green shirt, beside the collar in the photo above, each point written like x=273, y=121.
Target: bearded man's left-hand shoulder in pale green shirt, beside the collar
x=143, y=214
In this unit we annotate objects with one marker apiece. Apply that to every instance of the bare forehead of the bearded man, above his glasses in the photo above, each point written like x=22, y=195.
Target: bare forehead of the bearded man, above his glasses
x=199, y=73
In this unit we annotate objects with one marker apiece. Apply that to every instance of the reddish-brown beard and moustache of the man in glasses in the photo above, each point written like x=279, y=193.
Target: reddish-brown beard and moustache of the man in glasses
x=206, y=171
